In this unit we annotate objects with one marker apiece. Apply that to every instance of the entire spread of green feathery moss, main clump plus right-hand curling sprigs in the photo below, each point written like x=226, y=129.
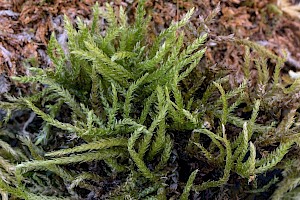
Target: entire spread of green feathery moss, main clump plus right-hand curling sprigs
x=119, y=98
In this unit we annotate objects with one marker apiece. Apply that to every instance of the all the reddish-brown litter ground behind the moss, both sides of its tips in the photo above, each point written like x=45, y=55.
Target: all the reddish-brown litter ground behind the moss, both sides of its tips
x=26, y=26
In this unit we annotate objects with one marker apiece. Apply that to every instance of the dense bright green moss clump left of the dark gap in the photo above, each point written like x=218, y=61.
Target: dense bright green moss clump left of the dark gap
x=114, y=85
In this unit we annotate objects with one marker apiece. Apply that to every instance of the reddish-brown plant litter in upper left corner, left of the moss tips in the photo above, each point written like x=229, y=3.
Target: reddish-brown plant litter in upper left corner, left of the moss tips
x=27, y=25
